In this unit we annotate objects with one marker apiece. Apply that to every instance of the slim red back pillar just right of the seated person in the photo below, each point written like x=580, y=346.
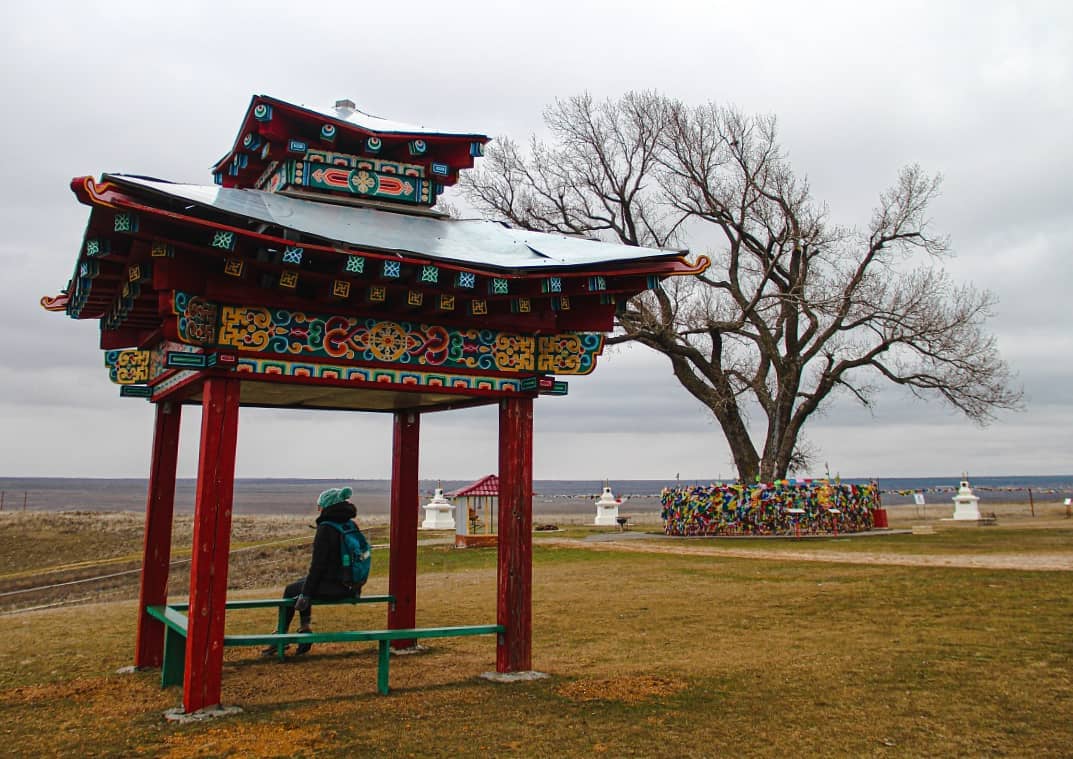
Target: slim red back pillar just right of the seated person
x=403, y=560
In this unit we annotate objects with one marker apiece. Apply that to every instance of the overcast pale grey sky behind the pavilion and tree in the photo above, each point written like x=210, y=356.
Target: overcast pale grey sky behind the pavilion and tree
x=979, y=92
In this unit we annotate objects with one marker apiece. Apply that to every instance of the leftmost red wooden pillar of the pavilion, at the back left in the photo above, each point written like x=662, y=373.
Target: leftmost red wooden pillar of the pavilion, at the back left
x=157, y=548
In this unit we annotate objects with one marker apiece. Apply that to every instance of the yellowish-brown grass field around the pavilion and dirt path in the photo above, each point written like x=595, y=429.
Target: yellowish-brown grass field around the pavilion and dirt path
x=650, y=655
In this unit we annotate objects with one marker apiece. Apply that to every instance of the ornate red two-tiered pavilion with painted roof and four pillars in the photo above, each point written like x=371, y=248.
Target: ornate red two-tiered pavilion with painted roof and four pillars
x=316, y=274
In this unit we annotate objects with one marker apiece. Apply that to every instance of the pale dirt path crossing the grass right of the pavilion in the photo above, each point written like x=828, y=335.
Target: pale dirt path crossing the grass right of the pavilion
x=1049, y=563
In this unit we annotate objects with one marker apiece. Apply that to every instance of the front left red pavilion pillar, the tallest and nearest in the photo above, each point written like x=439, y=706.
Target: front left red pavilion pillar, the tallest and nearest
x=209, y=572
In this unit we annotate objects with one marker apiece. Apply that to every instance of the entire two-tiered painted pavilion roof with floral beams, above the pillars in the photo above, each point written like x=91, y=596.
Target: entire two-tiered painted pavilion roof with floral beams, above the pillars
x=336, y=288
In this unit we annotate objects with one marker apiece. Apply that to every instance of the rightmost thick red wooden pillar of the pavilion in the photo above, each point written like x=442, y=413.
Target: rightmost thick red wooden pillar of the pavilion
x=515, y=602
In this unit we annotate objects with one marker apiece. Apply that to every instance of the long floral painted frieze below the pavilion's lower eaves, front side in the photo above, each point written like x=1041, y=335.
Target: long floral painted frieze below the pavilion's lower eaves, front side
x=296, y=334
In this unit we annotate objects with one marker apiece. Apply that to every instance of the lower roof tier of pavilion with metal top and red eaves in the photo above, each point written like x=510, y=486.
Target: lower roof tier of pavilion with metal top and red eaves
x=148, y=237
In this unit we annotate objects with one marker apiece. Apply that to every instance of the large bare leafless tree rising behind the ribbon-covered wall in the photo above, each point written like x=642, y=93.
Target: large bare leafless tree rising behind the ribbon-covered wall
x=796, y=309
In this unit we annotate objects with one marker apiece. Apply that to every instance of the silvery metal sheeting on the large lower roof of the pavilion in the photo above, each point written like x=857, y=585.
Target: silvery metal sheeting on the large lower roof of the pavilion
x=473, y=242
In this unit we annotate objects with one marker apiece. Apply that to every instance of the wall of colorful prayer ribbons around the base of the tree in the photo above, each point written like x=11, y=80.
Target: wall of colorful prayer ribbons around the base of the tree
x=787, y=507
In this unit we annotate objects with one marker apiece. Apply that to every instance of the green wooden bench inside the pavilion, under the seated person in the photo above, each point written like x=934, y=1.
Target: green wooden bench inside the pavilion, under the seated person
x=175, y=635
